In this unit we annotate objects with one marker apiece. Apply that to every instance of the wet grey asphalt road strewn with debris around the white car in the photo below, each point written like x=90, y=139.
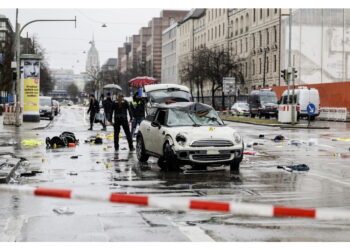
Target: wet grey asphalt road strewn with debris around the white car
x=326, y=185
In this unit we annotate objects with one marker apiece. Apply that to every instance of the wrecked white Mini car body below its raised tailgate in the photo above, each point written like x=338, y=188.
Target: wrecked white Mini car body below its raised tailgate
x=188, y=133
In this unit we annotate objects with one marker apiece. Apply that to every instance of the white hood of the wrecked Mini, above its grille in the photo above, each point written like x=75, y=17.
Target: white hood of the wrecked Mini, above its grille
x=203, y=132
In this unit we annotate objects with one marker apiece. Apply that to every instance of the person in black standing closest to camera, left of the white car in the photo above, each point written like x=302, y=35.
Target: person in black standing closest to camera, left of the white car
x=120, y=109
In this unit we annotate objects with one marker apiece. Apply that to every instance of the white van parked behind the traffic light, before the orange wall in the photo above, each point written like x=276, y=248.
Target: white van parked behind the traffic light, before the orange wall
x=303, y=96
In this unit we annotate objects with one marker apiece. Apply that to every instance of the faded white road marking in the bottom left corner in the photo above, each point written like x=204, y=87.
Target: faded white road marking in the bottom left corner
x=13, y=228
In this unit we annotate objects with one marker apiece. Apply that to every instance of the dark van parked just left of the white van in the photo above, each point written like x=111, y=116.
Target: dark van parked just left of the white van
x=263, y=102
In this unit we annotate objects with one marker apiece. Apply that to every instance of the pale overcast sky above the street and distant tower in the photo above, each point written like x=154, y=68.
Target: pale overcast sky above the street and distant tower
x=65, y=45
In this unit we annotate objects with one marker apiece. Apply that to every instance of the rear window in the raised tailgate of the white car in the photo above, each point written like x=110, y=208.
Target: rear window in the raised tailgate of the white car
x=164, y=95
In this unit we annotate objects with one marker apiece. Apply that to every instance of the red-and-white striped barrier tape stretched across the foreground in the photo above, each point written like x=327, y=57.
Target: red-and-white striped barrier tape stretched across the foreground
x=185, y=204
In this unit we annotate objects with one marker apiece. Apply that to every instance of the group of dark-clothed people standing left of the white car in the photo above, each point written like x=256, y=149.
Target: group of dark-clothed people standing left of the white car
x=120, y=109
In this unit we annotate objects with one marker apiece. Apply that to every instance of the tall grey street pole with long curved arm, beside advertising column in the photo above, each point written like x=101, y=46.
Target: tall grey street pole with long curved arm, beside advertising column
x=18, y=52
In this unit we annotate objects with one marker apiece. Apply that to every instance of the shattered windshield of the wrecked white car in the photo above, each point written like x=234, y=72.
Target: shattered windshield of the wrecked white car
x=177, y=117
